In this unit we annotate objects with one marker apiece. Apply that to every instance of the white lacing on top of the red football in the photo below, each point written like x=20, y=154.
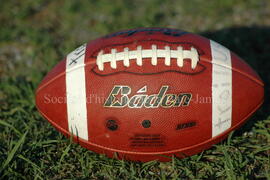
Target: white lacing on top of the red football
x=139, y=54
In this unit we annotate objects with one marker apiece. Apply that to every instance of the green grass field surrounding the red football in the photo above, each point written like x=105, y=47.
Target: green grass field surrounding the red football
x=36, y=34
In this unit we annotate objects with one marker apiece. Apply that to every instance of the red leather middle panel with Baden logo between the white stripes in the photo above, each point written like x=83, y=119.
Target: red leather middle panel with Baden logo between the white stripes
x=164, y=122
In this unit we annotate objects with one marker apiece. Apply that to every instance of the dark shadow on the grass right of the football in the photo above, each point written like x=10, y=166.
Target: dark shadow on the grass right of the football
x=253, y=45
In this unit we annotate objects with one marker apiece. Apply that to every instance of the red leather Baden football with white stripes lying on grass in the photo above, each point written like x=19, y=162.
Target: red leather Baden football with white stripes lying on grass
x=149, y=94
